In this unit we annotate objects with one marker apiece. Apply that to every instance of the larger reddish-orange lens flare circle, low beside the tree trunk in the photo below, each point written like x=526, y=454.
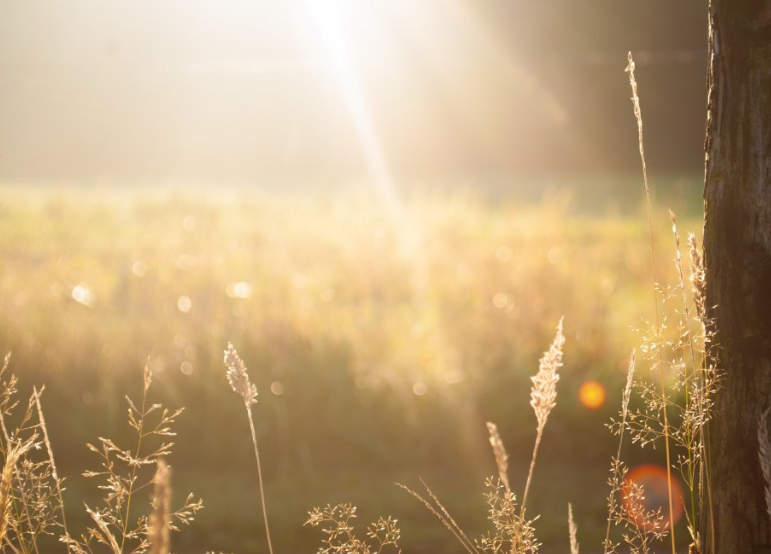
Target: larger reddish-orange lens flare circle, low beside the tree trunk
x=645, y=491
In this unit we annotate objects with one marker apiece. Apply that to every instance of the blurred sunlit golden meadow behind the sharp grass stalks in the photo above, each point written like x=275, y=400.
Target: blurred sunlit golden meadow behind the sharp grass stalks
x=380, y=341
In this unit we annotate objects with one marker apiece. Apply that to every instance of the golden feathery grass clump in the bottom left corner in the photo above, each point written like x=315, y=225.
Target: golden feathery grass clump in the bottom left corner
x=32, y=507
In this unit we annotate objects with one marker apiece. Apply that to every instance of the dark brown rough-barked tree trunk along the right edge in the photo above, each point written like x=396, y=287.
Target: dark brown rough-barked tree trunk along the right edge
x=737, y=244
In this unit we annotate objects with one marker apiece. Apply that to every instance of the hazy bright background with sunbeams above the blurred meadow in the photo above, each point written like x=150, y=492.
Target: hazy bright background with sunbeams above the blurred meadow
x=194, y=90
